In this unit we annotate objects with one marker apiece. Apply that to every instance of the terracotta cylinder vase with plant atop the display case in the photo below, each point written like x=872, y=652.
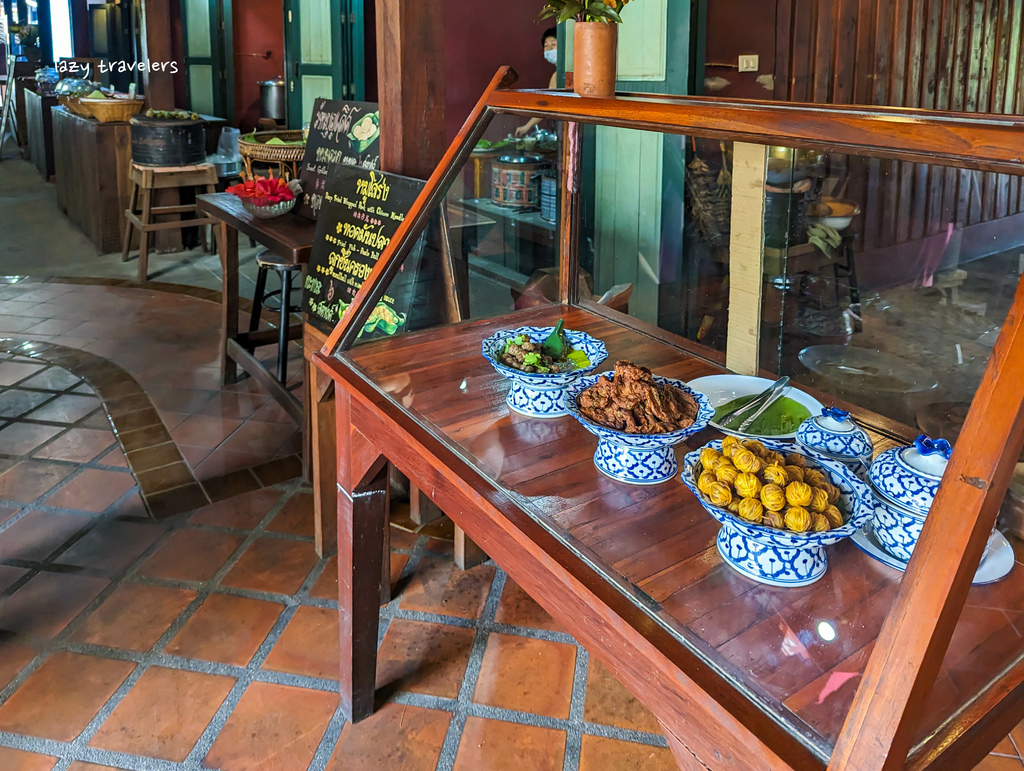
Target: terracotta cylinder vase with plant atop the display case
x=595, y=39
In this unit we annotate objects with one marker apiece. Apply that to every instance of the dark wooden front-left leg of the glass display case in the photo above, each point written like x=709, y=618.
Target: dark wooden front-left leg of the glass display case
x=362, y=517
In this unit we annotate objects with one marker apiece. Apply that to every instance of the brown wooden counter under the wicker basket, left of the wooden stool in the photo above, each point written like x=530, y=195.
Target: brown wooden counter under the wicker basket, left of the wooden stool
x=93, y=163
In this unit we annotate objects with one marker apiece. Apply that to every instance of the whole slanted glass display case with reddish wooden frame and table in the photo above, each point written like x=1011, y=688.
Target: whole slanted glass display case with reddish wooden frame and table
x=872, y=255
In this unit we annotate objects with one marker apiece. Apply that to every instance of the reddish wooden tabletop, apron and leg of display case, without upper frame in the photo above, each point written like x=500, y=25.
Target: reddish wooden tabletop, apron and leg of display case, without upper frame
x=737, y=670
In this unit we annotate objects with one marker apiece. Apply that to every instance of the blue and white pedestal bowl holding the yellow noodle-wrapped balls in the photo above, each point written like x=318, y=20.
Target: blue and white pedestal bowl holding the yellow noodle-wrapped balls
x=781, y=559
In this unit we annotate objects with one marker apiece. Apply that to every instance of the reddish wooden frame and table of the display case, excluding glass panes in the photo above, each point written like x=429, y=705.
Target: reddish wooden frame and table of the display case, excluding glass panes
x=869, y=668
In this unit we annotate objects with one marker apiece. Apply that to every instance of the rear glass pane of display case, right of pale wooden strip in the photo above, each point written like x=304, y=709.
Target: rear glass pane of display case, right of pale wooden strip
x=894, y=302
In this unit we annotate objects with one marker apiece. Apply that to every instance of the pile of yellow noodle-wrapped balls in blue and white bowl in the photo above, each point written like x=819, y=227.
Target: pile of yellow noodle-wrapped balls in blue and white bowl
x=765, y=488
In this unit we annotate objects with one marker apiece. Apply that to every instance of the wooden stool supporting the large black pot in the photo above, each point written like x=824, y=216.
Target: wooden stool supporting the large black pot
x=146, y=180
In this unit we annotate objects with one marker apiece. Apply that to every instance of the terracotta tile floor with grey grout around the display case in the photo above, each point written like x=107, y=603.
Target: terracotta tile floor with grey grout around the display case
x=209, y=639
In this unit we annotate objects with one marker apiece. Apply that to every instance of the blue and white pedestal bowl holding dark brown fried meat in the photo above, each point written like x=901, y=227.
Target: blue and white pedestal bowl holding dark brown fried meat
x=637, y=459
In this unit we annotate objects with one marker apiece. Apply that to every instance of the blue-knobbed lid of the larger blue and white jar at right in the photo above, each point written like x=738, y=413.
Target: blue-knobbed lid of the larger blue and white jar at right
x=910, y=477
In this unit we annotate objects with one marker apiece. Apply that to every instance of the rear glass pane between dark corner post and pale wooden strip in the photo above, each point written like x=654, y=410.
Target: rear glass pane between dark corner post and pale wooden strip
x=657, y=224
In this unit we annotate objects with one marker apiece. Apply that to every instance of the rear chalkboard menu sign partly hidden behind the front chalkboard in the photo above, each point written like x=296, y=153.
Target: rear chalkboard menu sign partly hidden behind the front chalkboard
x=340, y=133
